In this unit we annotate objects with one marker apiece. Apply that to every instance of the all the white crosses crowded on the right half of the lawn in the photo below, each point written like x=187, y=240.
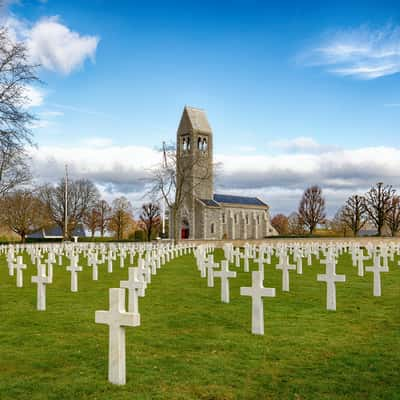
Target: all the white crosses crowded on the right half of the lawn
x=207, y=268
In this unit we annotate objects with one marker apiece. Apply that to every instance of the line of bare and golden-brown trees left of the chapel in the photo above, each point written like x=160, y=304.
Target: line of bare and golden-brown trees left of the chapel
x=27, y=210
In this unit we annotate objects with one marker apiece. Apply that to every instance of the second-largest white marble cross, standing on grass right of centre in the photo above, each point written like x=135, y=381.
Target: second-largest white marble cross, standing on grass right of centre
x=257, y=291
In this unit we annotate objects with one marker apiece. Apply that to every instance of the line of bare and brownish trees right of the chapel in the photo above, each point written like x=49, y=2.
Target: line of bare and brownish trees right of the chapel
x=378, y=209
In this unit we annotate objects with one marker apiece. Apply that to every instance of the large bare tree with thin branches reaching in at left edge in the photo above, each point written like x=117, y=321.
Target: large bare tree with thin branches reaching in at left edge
x=16, y=76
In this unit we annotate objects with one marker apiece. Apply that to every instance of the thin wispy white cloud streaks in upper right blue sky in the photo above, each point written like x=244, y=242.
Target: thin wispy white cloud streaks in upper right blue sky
x=363, y=53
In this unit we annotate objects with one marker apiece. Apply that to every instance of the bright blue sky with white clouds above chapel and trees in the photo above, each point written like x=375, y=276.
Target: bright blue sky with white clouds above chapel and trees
x=290, y=90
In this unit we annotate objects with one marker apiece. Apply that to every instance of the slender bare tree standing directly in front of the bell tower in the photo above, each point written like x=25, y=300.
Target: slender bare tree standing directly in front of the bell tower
x=175, y=182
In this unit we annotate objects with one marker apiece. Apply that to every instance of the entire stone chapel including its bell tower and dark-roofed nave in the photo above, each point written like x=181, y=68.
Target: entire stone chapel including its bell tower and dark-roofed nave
x=204, y=214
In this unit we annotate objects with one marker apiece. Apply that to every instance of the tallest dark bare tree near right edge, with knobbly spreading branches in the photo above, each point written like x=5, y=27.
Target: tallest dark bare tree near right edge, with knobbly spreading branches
x=378, y=204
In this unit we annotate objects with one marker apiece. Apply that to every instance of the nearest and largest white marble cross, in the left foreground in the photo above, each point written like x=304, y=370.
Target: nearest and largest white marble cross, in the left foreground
x=117, y=319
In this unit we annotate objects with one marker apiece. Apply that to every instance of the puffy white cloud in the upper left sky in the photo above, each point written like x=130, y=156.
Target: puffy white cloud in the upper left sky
x=52, y=44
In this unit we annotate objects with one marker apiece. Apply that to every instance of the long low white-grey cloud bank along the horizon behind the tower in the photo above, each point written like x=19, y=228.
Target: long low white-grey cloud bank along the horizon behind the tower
x=278, y=179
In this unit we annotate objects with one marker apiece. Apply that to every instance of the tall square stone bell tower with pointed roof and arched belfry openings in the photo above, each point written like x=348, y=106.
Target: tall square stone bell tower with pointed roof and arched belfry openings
x=194, y=164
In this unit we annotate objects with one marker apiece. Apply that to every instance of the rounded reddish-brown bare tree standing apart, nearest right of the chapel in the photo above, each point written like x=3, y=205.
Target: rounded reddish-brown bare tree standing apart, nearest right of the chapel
x=312, y=208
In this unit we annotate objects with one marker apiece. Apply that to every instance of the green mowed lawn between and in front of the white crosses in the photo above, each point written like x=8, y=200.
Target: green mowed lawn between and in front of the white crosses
x=192, y=346
